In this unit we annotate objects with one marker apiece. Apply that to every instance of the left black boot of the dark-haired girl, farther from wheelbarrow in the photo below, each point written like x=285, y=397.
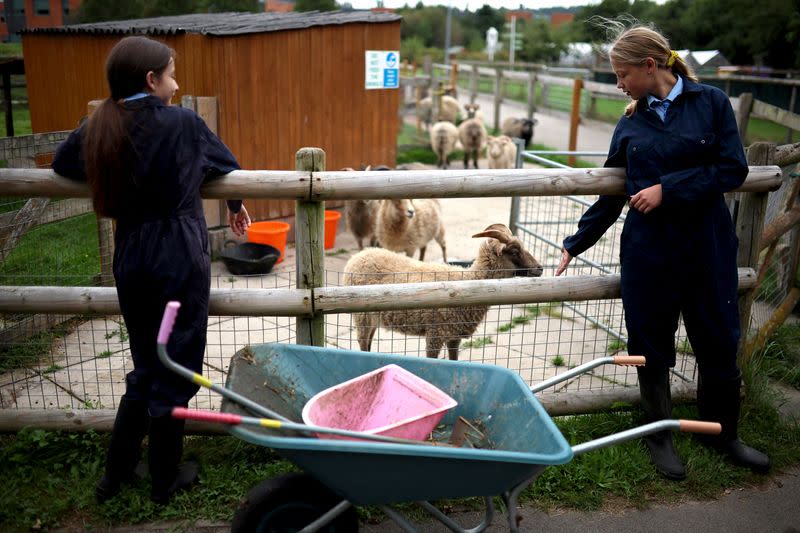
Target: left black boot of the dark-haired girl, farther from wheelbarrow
x=125, y=449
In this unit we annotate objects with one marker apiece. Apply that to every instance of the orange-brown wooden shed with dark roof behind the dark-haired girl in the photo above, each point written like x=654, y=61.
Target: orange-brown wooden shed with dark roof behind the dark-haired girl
x=282, y=81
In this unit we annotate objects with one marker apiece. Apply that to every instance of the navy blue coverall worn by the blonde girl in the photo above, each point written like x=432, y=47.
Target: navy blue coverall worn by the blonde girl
x=680, y=257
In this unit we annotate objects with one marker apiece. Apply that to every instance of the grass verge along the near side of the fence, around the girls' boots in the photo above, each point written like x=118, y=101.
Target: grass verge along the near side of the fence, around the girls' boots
x=49, y=476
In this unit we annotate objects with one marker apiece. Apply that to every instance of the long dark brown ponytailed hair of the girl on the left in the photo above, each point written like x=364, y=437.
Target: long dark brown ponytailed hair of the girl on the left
x=107, y=149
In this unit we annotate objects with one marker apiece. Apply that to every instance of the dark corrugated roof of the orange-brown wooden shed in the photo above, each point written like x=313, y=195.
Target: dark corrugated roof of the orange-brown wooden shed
x=223, y=23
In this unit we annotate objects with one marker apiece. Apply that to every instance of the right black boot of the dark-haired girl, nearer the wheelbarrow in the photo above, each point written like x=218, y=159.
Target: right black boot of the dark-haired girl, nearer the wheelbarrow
x=164, y=455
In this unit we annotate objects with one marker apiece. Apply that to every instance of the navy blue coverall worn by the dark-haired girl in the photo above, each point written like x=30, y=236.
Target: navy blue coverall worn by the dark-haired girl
x=161, y=243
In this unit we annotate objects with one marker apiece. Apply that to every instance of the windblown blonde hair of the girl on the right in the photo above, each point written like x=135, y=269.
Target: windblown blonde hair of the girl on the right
x=632, y=43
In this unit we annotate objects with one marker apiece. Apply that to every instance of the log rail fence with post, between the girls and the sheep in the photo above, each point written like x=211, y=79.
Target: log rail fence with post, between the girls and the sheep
x=310, y=186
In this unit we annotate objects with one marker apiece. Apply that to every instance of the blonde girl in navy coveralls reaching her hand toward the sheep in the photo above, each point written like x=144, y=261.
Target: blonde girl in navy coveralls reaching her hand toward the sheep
x=679, y=145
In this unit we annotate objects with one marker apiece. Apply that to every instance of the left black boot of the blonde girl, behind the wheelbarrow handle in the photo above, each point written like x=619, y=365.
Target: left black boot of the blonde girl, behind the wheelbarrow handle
x=657, y=405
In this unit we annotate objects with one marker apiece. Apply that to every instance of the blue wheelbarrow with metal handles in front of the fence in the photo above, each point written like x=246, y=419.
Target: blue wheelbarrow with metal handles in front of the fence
x=276, y=380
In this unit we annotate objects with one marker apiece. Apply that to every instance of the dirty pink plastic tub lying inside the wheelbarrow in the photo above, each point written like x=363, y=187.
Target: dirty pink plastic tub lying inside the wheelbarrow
x=388, y=401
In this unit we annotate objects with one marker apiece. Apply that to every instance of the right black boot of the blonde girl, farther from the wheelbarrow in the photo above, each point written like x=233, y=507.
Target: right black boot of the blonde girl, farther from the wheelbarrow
x=721, y=402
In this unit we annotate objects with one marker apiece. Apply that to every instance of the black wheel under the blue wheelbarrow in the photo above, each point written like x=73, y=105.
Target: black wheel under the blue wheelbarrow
x=288, y=504
